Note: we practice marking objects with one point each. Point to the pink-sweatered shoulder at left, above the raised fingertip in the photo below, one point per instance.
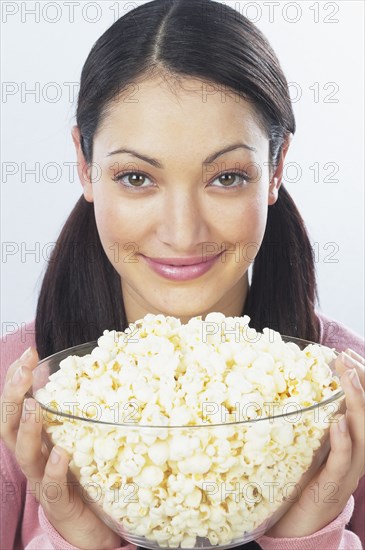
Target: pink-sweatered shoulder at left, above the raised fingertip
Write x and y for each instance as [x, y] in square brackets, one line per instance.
[18, 338]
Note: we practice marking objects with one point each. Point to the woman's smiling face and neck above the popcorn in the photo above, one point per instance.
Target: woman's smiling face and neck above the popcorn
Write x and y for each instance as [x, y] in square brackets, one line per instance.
[192, 200]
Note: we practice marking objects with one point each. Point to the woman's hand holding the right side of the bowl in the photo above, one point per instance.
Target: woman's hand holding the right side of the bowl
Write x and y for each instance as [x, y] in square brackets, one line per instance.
[324, 498]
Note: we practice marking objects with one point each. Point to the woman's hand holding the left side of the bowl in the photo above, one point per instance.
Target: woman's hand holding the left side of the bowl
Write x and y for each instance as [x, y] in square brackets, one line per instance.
[47, 473]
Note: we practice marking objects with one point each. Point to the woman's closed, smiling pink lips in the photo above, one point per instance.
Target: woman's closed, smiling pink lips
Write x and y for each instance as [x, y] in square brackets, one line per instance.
[181, 269]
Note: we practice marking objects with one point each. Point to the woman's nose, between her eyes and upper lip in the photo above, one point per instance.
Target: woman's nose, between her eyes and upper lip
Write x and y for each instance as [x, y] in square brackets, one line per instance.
[183, 225]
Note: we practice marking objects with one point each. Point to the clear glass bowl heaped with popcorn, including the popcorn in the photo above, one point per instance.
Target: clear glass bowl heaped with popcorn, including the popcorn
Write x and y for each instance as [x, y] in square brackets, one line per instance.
[193, 435]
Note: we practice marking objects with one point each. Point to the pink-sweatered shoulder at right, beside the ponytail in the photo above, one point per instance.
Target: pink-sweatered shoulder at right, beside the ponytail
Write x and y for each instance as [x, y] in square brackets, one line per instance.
[335, 334]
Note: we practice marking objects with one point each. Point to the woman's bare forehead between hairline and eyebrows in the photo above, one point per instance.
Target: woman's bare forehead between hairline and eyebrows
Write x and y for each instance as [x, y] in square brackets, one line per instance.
[188, 104]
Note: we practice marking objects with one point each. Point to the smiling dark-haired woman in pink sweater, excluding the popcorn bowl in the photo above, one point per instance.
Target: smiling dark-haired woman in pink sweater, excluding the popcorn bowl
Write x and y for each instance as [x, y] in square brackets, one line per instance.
[183, 124]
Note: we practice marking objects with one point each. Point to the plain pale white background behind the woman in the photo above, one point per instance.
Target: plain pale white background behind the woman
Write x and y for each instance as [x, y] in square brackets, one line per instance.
[320, 47]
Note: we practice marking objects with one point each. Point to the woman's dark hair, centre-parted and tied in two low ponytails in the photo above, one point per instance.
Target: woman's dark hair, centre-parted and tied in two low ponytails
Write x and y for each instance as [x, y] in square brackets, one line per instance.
[81, 291]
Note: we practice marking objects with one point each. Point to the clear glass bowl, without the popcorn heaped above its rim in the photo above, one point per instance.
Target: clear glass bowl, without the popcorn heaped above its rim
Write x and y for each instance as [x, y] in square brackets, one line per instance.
[212, 485]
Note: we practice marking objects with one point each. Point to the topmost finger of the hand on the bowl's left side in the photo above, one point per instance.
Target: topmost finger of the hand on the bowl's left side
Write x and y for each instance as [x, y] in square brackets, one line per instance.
[18, 381]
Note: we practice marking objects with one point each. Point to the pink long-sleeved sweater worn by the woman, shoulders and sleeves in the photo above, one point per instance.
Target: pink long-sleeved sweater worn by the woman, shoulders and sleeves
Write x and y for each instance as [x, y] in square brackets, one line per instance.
[25, 526]
